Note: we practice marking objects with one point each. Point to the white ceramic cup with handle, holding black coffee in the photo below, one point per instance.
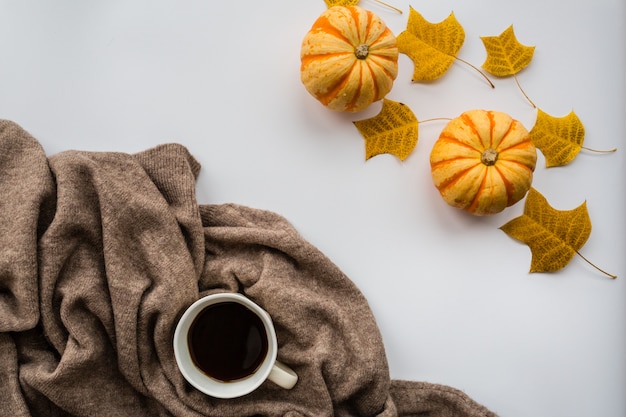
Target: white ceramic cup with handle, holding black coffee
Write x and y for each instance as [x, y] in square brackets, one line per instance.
[269, 368]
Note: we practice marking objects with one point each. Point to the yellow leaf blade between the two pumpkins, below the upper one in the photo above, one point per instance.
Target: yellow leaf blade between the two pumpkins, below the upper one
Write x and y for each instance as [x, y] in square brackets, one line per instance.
[392, 131]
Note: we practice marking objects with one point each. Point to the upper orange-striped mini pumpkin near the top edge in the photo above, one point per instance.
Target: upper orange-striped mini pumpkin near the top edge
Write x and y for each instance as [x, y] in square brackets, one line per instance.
[349, 58]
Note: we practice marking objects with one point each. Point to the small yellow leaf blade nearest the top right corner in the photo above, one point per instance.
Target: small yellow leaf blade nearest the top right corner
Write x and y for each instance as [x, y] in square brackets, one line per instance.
[505, 55]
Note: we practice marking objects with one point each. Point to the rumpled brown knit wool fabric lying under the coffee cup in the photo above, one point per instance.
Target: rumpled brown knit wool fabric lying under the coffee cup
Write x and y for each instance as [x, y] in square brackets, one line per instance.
[100, 253]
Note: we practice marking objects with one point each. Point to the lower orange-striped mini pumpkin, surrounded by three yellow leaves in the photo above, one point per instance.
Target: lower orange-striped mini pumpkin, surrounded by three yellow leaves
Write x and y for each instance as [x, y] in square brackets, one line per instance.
[483, 162]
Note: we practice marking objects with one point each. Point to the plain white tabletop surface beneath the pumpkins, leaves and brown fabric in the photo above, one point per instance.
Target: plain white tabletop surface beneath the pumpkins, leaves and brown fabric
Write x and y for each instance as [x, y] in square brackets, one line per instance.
[451, 292]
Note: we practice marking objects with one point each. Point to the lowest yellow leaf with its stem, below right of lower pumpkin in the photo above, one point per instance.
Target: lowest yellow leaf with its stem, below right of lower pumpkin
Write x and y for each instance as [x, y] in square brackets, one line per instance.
[553, 236]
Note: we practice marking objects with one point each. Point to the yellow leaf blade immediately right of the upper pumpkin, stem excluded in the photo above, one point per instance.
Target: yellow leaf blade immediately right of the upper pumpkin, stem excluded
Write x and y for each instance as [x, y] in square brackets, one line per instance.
[431, 46]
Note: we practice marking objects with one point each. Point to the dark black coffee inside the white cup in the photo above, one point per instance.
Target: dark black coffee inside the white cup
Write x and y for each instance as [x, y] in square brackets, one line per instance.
[227, 341]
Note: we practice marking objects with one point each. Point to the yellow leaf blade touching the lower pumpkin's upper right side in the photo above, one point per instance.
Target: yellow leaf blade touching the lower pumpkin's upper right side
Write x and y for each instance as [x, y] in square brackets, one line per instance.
[558, 138]
